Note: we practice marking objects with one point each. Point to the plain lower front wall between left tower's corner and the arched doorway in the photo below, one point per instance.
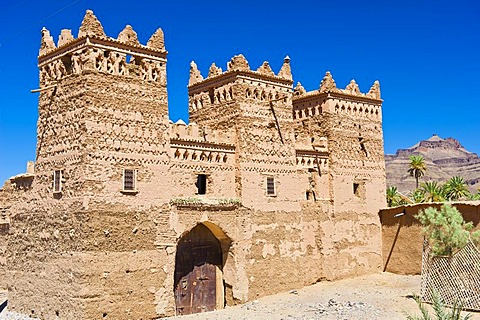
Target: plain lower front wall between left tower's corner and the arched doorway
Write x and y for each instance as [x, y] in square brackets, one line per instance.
[124, 269]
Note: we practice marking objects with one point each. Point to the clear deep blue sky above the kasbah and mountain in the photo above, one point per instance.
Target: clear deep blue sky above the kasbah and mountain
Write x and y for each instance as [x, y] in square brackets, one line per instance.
[426, 55]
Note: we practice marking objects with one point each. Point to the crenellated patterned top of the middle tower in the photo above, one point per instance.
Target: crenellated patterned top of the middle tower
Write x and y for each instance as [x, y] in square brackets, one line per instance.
[223, 92]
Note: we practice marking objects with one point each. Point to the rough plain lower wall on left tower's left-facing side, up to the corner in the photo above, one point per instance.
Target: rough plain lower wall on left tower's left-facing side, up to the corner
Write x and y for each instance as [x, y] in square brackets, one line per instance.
[44, 271]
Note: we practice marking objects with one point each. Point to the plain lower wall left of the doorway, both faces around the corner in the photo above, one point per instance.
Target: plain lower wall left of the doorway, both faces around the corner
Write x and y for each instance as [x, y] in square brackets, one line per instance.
[83, 263]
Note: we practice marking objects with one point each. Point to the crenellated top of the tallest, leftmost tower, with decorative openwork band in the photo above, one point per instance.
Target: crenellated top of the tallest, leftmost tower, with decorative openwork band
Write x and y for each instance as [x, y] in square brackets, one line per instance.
[93, 50]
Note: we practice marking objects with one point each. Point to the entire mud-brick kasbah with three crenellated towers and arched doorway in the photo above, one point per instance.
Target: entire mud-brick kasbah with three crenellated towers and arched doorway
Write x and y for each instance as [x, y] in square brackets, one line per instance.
[127, 215]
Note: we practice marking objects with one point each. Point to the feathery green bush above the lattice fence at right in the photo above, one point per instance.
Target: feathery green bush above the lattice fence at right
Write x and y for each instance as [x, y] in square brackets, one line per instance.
[446, 230]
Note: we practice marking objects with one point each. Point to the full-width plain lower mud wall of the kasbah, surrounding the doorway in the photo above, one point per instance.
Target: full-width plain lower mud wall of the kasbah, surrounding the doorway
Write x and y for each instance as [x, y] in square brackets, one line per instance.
[118, 259]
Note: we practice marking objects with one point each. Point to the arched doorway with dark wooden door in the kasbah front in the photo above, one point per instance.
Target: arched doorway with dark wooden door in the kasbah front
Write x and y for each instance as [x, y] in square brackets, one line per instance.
[199, 261]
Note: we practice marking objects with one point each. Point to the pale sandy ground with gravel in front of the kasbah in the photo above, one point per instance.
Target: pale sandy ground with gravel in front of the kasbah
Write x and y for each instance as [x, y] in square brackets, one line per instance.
[377, 296]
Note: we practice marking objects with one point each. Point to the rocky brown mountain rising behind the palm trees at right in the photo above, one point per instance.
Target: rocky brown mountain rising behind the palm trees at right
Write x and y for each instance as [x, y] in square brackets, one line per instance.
[445, 158]
